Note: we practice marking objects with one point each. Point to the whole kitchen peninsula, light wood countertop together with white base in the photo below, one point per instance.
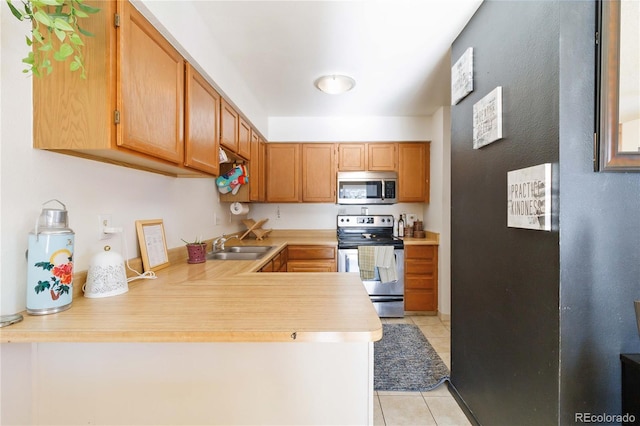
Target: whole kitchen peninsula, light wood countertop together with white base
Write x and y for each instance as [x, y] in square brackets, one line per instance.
[209, 343]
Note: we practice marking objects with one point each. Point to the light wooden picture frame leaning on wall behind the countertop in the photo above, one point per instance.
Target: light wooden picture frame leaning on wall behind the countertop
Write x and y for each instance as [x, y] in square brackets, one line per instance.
[153, 244]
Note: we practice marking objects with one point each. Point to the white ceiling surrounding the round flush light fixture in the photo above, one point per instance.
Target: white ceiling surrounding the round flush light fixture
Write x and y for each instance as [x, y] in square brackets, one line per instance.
[396, 50]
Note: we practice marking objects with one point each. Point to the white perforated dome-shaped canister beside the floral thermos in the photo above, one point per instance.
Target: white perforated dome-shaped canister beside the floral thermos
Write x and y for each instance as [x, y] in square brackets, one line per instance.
[106, 276]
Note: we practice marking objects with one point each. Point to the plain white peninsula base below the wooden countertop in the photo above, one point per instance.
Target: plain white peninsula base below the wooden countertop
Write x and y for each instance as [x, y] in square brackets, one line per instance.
[187, 383]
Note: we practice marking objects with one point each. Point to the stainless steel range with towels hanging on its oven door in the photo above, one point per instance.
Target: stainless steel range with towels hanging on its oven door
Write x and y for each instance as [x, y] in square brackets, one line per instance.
[356, 235]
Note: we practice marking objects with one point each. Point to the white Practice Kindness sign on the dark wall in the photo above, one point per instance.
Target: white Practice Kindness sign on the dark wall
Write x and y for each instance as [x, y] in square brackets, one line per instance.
[529, 198]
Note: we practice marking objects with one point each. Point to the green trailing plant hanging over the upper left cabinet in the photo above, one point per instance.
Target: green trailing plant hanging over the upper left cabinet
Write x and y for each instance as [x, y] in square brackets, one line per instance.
[55, 33]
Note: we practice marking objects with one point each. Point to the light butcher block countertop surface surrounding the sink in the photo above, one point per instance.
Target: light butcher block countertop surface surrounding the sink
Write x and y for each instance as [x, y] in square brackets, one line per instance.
[219, 301]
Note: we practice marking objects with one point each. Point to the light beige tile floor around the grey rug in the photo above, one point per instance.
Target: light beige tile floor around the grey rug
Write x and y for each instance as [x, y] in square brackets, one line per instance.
[436, 407]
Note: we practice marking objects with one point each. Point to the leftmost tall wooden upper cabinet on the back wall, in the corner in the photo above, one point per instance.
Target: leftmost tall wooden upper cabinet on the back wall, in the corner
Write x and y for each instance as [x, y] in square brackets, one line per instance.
[283, 172]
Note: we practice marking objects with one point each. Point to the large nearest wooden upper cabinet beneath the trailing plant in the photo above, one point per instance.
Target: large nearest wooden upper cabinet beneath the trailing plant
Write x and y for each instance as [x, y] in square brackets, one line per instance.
[130, 109]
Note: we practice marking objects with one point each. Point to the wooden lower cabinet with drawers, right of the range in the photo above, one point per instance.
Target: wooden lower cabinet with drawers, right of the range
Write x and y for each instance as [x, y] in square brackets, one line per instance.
[421, 277]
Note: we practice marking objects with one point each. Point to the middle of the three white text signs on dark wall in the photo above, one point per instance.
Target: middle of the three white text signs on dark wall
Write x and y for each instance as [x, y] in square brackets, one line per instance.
[487, 119]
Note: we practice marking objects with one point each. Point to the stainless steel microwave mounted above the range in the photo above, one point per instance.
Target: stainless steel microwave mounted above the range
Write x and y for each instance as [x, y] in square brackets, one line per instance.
[367, 188]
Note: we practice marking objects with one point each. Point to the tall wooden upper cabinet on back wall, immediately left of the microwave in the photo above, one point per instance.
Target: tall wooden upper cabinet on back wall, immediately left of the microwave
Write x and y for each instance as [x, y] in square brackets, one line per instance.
[318, 173]
